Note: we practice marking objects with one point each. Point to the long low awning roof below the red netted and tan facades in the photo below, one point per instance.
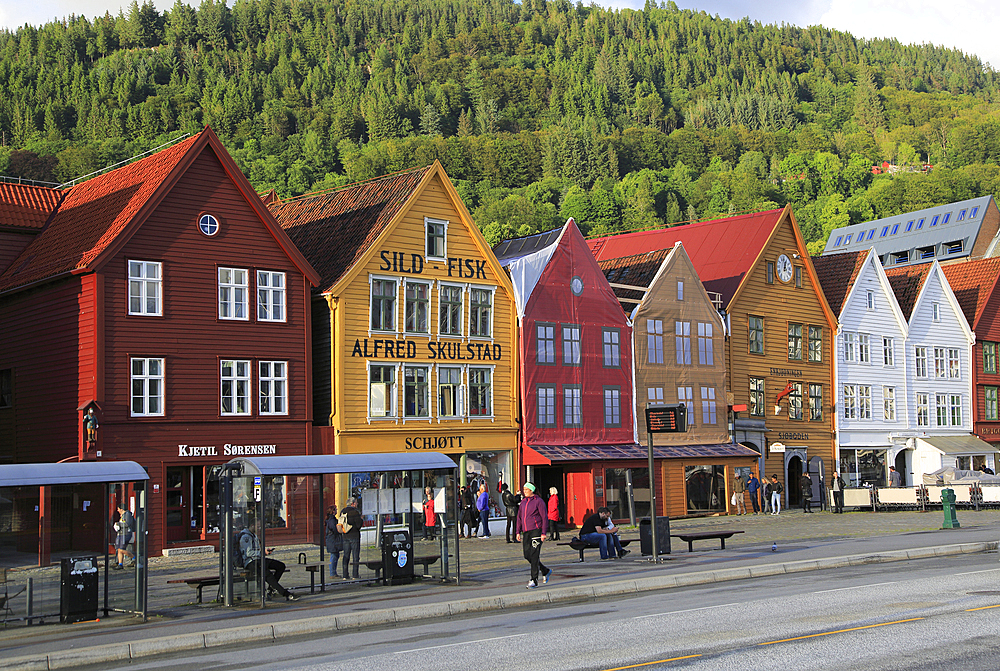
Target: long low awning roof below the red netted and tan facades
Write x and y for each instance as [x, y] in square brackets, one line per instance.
[543, 455]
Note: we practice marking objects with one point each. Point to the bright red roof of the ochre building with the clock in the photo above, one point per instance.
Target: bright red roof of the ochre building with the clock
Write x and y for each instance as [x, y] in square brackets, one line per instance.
[722, 251]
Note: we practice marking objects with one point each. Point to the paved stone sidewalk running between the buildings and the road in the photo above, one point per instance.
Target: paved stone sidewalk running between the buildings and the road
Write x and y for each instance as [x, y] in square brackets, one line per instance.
[493, 577]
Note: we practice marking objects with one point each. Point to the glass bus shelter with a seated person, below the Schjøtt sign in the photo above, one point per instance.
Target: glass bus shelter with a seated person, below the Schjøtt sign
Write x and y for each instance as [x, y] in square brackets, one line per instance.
[390, 490]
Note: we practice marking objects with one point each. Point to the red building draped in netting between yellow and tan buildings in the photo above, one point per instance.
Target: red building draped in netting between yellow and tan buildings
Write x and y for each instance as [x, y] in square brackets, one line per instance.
[576, 368]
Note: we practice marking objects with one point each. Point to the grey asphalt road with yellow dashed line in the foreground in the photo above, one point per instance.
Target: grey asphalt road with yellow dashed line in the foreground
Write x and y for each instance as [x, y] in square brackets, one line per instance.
[927, 614]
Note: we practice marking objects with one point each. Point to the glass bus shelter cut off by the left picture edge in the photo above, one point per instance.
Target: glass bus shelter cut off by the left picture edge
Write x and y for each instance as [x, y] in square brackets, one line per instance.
[69, 512]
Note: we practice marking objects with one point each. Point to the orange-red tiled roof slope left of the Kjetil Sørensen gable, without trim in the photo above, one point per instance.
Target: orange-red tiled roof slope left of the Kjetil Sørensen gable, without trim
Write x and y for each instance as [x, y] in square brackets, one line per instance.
[90, 217]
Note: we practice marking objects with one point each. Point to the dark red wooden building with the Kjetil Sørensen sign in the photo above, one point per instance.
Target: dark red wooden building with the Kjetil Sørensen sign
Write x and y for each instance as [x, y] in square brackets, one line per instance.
[164, 295]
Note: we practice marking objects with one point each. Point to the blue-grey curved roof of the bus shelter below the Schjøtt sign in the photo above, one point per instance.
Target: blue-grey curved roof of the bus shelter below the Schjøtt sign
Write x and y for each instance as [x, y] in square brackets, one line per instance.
[315, 464]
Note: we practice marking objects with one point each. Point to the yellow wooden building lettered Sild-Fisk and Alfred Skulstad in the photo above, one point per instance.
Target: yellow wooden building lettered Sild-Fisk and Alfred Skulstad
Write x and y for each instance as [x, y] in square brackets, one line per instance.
[413, 325]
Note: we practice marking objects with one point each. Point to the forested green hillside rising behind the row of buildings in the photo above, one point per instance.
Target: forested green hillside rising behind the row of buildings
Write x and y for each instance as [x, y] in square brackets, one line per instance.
[538, 110]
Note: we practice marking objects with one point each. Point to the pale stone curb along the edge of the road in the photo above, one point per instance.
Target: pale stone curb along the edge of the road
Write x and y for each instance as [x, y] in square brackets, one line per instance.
[65, 659]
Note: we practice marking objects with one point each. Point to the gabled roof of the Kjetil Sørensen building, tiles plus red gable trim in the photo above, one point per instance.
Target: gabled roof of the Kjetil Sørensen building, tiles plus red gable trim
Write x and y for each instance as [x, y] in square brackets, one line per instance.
[96, 217]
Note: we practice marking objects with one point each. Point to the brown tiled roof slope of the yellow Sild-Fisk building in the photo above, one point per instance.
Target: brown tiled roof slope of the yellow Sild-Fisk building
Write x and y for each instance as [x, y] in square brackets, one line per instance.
[334, 229]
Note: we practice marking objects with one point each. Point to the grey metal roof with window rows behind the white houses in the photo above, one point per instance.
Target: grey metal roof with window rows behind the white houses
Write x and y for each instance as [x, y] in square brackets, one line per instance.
[922, 234]
